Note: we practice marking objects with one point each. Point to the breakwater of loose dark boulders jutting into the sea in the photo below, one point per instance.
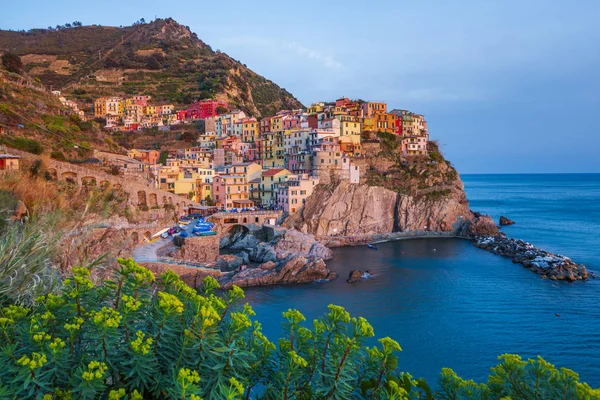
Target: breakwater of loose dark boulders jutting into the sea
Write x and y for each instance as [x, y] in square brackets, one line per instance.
[542, 262]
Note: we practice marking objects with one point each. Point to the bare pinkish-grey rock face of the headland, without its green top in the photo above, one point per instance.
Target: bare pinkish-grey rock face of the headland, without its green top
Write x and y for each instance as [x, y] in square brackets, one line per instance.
[359, 209]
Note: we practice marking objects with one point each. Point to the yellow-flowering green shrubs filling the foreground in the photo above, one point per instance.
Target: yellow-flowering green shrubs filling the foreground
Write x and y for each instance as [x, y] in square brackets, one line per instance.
[136, 336]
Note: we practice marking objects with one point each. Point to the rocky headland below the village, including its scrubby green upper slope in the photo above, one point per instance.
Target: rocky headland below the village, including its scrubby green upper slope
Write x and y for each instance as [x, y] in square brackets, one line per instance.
[395, 194]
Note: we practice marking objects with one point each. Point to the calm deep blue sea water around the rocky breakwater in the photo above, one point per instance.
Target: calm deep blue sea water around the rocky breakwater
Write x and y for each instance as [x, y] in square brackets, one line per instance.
[450, 304]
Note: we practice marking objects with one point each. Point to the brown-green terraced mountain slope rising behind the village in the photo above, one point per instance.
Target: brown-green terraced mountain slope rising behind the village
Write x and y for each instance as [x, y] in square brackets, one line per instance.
[163, 59]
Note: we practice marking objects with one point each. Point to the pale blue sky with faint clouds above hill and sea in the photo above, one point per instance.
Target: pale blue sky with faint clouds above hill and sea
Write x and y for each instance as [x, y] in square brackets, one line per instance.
[506, 86]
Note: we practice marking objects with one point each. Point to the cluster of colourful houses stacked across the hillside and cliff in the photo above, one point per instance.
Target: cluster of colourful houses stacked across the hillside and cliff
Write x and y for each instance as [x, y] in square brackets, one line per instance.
[242, 162]
